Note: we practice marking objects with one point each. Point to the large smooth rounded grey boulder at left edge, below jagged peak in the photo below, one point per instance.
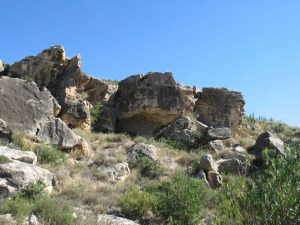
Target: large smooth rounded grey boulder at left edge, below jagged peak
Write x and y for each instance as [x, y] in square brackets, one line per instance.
[23, 106]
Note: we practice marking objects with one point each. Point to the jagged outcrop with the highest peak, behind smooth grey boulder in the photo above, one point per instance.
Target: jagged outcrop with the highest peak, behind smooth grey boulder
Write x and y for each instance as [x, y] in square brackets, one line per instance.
[62, 77]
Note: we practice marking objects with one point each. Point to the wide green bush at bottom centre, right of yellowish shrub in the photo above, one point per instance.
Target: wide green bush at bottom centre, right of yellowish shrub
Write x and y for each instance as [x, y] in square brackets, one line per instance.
[180, 200]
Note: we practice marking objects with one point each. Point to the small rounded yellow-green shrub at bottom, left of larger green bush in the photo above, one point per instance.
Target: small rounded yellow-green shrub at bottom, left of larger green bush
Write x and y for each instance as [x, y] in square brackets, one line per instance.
[136, 203]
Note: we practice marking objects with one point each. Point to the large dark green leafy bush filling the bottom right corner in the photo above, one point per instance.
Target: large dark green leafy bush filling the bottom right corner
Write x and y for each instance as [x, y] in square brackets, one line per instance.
[271, 195]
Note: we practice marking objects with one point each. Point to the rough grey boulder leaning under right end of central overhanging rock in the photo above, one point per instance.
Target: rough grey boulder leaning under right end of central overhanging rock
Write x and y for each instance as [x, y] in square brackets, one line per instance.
[183, 131]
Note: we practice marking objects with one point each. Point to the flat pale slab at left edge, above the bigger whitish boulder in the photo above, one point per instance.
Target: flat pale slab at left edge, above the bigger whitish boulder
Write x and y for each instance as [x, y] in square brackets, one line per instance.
[22, 156]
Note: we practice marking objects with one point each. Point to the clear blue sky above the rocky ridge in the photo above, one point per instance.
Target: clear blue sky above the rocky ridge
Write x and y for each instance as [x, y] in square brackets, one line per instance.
[248, 45]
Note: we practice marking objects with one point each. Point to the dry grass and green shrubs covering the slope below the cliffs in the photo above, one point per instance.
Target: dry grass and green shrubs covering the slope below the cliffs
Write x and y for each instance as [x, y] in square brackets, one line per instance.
[156, 193]
